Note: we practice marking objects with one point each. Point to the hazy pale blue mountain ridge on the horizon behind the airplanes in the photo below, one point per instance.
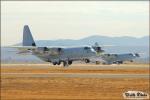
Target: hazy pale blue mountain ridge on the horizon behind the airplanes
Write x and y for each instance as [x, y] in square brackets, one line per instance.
[102, 40]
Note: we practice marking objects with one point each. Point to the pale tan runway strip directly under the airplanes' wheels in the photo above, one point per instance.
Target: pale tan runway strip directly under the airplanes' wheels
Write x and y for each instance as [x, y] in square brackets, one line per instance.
[79, 66]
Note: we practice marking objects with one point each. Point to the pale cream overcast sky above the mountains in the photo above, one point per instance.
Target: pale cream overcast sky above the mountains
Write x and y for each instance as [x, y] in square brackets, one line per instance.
[50, 20]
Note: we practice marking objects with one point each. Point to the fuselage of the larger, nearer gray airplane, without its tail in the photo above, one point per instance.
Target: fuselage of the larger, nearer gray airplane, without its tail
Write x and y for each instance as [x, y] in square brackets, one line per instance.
[58, 55]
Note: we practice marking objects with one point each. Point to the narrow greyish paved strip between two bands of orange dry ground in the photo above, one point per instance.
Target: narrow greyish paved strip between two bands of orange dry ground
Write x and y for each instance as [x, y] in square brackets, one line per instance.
[74, 75]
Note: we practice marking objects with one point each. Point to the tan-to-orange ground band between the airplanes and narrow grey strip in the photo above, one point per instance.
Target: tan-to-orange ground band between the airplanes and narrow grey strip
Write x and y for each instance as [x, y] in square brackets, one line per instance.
[76, 68]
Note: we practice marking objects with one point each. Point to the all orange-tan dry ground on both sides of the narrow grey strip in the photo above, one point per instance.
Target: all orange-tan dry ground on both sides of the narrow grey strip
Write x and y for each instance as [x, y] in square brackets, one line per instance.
[40, 88]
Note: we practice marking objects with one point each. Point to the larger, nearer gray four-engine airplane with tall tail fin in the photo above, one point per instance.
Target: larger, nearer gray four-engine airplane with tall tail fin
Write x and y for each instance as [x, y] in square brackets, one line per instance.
[55, 55]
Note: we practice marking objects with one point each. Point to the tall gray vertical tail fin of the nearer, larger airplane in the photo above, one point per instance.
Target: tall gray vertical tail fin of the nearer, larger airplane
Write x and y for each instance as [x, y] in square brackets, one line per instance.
[27, 37]
